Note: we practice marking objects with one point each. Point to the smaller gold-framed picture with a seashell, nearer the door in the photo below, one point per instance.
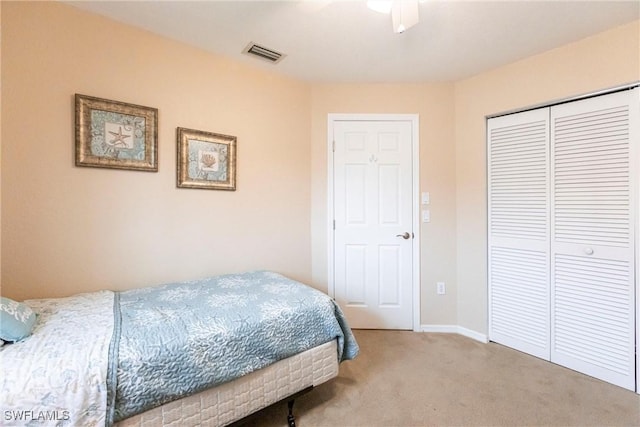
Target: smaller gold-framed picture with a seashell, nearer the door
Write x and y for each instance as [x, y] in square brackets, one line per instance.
[206, 160]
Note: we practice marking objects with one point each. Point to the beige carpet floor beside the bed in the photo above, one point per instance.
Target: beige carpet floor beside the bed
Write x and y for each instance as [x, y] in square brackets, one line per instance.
[419, 379]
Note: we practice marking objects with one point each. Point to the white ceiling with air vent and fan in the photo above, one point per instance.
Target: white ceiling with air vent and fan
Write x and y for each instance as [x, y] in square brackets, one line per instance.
[344, 41]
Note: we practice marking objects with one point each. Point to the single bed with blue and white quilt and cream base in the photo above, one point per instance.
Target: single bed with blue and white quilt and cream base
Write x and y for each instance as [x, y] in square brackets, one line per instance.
[204, 352]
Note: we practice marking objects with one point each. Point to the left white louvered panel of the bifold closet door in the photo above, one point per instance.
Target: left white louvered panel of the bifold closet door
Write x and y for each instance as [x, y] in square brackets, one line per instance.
[518, 153]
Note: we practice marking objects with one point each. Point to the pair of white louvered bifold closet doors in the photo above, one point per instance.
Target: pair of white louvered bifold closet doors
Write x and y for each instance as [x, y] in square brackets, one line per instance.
[562, 234]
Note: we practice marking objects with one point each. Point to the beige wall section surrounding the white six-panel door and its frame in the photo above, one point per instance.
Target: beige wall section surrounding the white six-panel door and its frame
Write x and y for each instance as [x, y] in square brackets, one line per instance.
[434, 104]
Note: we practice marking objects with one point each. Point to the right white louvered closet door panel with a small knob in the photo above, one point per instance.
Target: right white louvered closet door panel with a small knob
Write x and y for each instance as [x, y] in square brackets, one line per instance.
[592, 248]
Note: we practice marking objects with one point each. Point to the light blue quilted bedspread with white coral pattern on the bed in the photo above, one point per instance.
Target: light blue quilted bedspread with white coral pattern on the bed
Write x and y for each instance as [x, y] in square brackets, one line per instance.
[181, 338]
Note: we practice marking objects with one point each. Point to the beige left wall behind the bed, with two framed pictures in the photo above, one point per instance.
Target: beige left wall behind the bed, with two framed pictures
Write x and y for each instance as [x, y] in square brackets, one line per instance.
[67, 229]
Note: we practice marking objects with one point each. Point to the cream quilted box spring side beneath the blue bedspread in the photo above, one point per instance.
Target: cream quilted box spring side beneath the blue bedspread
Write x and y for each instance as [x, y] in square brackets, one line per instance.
[234, 400]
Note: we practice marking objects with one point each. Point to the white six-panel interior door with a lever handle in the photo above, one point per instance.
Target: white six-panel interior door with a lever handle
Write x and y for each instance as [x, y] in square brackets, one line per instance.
[373, 231]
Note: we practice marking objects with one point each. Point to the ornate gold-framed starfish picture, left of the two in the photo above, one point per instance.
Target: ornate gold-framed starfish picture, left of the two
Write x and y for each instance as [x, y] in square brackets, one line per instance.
[112, 134]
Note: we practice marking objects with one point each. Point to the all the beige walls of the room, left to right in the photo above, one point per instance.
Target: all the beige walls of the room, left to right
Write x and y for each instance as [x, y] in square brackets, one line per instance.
[67, 229]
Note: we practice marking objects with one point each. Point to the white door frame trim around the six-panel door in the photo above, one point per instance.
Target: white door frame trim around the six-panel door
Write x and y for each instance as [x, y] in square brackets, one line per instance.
[414, 119]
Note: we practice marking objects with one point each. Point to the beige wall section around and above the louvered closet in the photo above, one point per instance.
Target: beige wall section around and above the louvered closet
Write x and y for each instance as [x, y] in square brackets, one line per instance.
[608, 59]
